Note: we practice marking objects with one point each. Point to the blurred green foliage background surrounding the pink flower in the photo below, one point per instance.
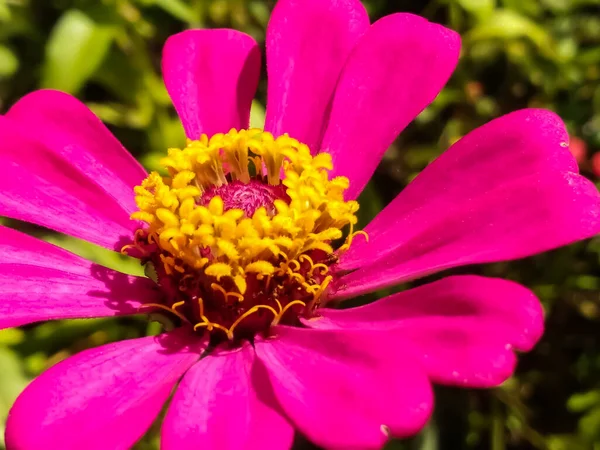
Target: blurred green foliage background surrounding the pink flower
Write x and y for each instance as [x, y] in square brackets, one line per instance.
[516, 53]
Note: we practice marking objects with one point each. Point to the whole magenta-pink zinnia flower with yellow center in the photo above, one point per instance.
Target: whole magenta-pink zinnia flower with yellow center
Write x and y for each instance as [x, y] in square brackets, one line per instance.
[277, 359]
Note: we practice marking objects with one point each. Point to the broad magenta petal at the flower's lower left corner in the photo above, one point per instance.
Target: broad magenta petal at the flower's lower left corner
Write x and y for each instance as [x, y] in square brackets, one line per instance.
[102, 398]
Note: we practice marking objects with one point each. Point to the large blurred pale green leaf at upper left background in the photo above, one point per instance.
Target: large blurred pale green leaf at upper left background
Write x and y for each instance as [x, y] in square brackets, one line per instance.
[76, 47]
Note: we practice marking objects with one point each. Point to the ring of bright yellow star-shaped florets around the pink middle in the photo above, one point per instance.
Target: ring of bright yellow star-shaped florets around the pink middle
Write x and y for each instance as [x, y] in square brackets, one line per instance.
[227, 243]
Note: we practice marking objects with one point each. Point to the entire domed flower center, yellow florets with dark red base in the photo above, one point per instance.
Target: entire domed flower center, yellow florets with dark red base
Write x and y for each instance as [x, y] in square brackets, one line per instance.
[240, 235]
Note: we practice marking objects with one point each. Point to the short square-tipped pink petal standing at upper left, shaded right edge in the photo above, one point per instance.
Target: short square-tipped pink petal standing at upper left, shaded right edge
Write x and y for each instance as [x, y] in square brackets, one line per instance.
[211, 76]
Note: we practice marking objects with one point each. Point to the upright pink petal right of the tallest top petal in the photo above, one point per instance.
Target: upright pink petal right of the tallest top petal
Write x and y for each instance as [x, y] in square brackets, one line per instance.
[395, 71]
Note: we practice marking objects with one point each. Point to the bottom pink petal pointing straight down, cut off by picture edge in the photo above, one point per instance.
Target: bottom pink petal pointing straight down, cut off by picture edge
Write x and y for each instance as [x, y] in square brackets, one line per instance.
[217, 407]
